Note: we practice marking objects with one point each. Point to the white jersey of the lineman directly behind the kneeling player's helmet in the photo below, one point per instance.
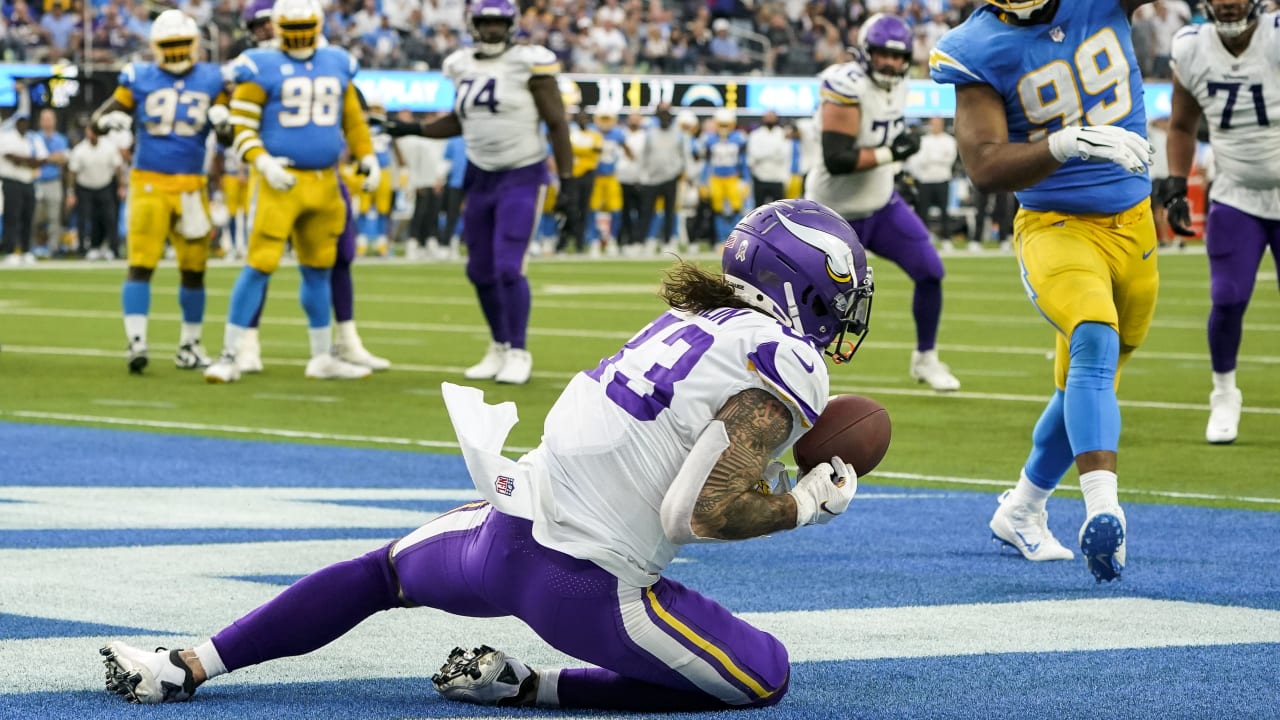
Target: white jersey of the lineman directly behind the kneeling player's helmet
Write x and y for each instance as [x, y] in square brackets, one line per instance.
[862, 193]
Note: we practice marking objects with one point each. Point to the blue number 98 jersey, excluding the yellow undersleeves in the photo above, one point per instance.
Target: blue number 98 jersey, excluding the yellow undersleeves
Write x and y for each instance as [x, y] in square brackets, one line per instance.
[303, 102]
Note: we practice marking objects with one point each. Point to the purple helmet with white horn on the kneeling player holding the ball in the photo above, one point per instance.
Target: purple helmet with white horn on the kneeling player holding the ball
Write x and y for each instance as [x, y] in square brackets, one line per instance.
[802, 263]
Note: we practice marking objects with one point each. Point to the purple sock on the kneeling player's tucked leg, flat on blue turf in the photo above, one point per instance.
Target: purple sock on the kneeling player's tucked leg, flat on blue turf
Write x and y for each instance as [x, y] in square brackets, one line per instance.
[606, 690]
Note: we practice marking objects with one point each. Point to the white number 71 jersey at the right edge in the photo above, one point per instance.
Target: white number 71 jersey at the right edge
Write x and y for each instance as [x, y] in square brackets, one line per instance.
[1241, 98]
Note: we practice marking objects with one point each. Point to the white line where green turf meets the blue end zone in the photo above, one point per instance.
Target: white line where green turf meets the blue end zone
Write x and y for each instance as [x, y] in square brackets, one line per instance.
[404, 443]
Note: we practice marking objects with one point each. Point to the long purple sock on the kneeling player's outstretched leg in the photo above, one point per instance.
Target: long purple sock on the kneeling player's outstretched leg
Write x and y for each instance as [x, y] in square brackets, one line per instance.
[312, 613]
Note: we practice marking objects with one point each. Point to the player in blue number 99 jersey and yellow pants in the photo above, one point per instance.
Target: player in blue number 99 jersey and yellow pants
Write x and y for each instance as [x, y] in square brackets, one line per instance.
[1050, 106]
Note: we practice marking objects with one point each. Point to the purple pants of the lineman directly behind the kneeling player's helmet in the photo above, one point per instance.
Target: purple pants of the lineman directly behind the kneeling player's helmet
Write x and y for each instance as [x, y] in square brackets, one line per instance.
[897, 234]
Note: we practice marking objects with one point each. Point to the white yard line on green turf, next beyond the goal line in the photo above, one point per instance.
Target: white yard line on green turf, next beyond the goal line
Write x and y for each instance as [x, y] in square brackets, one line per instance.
[835, 388]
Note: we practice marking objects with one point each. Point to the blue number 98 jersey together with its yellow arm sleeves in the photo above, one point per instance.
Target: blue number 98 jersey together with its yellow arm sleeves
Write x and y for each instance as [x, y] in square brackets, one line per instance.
[301, 111]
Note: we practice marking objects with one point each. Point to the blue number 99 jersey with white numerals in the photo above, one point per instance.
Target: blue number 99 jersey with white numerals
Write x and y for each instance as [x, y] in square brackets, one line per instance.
[1078, 69]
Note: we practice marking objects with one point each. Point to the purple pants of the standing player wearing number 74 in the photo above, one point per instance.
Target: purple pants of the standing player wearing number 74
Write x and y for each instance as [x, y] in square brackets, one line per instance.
[499, 222]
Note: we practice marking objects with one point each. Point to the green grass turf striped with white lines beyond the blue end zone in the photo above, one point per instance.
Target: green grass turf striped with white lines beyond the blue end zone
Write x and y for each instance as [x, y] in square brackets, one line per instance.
[63, 362]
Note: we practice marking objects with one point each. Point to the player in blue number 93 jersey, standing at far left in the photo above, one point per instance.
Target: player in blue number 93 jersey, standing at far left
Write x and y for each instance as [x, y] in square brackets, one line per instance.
[175, 102]
